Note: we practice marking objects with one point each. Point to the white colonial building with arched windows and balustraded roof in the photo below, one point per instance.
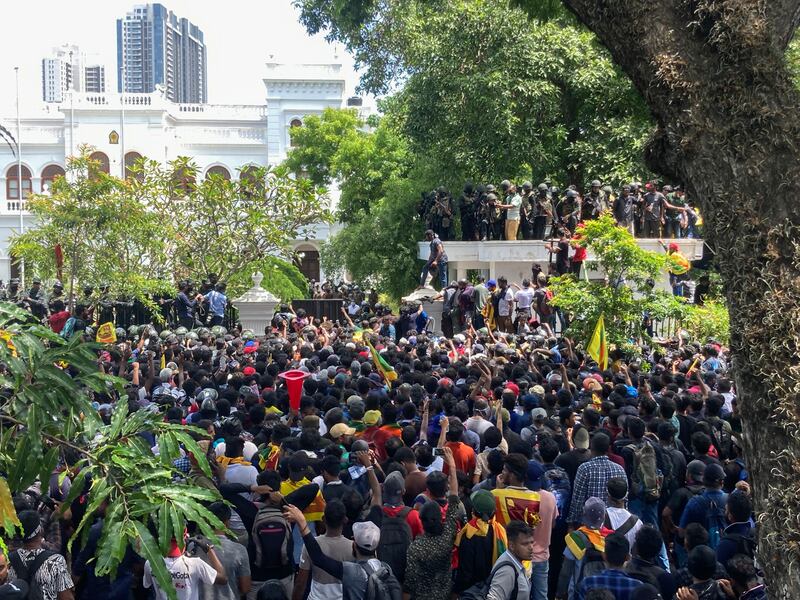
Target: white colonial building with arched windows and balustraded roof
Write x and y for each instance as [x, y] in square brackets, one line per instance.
[122, 128]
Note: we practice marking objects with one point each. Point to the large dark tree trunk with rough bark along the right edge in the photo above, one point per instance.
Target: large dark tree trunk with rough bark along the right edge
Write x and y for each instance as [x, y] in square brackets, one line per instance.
[728, 119]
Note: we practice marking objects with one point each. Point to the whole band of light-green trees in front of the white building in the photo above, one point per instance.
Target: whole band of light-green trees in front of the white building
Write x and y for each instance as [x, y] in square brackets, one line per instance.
[161, 225]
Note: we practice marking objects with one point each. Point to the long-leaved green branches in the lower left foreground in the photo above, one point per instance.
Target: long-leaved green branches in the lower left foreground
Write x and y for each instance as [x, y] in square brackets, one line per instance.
[48, 420]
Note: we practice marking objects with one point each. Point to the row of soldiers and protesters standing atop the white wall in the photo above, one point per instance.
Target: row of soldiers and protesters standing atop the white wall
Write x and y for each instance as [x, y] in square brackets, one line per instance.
[511, 212]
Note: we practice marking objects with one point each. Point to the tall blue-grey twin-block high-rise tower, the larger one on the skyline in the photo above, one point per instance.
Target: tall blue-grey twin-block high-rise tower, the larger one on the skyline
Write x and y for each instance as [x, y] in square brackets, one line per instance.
[157, 48]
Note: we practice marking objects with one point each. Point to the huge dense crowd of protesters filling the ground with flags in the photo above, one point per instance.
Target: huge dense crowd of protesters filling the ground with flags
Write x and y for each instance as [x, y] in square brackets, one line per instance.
[496, 462]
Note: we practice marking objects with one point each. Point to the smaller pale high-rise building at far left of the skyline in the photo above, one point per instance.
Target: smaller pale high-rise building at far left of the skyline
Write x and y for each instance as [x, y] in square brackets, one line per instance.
[64, 70]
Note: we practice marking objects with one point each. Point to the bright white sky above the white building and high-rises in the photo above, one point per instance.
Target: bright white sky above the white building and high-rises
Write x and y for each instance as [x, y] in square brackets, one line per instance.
[240, 35]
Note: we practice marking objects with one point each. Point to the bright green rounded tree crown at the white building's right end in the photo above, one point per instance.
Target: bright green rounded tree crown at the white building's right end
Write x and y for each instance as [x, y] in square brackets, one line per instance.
[338, 146]
